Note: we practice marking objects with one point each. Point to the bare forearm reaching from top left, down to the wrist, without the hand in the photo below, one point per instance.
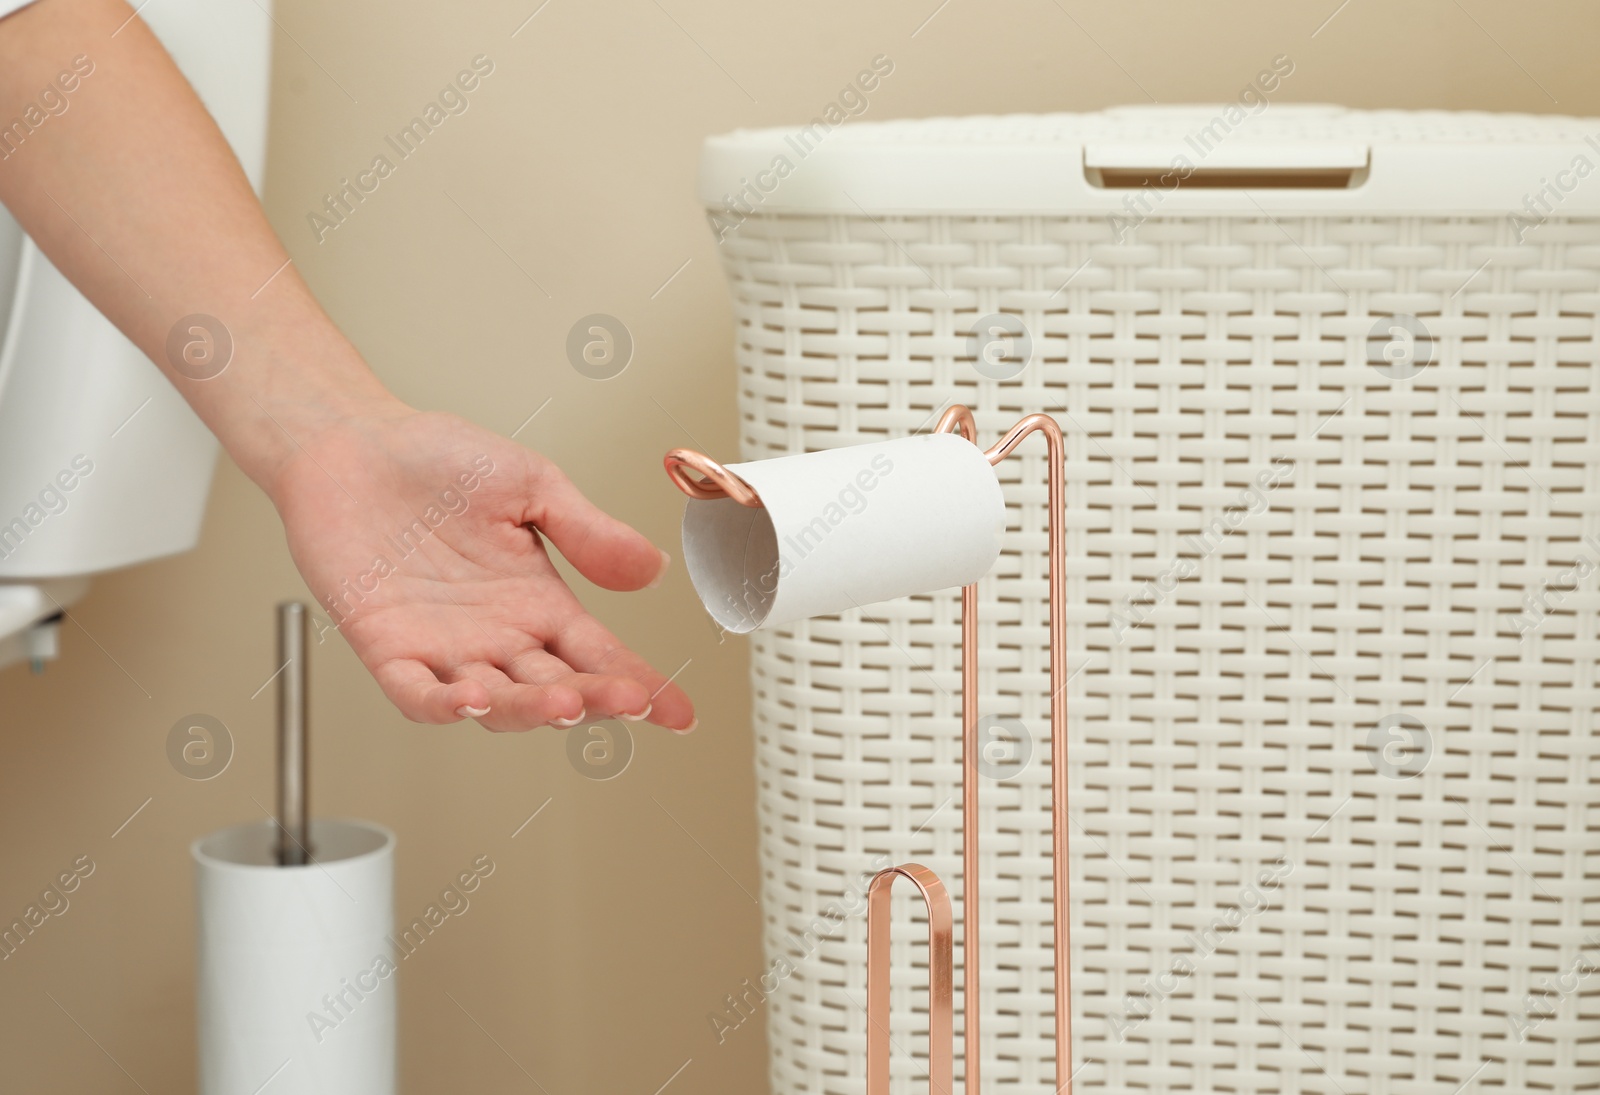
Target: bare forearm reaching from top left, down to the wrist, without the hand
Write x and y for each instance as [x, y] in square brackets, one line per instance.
[137, 198]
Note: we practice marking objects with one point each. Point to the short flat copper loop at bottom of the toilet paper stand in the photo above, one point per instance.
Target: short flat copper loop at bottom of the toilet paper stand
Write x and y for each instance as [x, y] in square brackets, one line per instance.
[942, 979]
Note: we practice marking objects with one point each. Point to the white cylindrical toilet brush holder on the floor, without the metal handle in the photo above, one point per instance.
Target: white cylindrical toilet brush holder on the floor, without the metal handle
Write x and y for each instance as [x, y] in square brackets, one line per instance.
[297, 968]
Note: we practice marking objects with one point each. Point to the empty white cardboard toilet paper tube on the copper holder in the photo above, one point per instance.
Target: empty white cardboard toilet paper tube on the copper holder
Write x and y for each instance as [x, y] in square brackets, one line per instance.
[846, 527]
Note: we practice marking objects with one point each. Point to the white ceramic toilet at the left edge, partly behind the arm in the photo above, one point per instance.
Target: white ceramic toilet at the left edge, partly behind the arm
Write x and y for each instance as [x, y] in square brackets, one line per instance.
[102, 462]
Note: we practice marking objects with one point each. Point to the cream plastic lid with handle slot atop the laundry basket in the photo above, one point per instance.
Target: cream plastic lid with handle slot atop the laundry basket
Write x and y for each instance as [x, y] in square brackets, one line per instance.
[1158, 161]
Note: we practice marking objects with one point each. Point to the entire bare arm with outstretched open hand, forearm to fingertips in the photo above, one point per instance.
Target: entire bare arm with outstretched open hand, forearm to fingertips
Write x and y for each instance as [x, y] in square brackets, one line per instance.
[130, 190]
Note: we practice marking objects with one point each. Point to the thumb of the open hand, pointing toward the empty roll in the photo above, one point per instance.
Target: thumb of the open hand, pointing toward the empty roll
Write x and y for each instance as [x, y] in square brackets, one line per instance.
[602, 548]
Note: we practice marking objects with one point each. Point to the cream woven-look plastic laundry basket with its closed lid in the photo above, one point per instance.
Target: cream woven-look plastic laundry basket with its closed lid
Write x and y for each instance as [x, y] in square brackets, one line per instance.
[1334, 425]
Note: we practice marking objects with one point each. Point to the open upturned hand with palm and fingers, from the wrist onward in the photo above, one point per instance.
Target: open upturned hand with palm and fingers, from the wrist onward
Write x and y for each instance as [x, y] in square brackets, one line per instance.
[425, 537]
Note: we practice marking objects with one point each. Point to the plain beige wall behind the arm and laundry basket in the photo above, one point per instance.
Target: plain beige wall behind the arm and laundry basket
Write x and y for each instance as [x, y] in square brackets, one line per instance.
[607, 933]
